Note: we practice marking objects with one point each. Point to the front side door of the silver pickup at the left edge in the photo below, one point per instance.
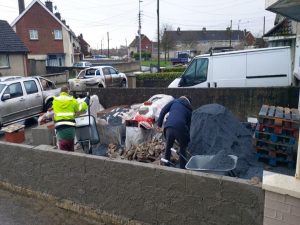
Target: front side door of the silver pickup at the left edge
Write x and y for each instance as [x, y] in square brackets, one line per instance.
[13, 103]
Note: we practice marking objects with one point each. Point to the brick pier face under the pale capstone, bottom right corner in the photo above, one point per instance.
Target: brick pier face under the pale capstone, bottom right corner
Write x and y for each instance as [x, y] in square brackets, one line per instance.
[281, 209]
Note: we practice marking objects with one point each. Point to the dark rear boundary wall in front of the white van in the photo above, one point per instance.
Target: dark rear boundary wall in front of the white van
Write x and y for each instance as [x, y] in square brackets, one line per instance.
[243, 102]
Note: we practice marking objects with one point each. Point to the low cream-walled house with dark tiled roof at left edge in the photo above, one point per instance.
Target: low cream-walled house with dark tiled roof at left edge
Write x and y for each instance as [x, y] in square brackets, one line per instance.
[13, 52]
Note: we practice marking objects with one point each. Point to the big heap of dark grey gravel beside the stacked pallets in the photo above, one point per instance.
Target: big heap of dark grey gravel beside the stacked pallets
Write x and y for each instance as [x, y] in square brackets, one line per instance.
[215, 129]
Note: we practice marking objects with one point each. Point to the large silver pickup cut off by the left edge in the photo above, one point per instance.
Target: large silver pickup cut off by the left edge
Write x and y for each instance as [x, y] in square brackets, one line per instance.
[25, 97]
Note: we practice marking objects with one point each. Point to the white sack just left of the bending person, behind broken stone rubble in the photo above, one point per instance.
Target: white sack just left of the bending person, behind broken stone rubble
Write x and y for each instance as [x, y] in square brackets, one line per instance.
[137, 135]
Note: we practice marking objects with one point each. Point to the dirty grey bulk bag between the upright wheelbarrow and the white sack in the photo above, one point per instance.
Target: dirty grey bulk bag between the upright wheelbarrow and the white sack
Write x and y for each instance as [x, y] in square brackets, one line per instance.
[110, 134]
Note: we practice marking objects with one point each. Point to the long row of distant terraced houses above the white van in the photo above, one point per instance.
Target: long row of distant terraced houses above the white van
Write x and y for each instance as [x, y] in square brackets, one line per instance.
[200, 41]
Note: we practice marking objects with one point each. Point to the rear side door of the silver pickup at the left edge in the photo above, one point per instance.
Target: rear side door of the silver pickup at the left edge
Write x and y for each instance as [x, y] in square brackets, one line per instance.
[34, 98]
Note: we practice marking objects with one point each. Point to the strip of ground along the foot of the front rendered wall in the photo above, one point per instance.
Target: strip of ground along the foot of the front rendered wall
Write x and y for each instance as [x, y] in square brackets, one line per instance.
[20, 210]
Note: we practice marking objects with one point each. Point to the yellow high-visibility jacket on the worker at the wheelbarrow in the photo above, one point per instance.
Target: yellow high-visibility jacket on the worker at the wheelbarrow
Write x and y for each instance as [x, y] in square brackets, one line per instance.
[64, 108]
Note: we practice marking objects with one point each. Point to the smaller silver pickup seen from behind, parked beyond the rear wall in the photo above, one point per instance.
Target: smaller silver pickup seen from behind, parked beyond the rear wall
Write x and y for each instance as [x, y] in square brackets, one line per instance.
[98, 76]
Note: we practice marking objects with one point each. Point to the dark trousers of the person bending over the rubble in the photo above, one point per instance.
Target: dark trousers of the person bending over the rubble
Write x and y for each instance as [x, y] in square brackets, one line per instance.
[171, 135]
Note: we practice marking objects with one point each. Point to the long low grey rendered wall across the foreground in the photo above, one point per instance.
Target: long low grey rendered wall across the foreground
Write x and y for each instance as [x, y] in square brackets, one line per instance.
[137, 191]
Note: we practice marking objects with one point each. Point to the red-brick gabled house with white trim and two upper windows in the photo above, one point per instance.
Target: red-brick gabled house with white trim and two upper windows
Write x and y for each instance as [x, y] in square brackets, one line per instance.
[50, 41]
